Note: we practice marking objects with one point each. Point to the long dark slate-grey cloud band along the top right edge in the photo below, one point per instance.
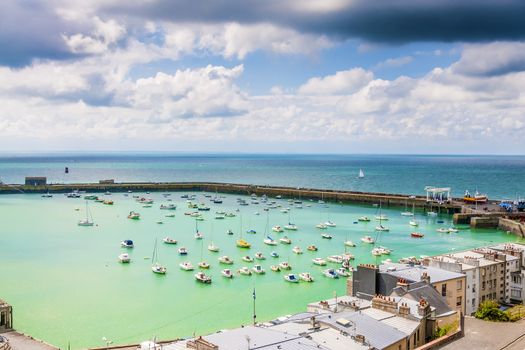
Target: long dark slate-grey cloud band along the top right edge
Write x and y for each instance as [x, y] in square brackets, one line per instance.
[385, 21]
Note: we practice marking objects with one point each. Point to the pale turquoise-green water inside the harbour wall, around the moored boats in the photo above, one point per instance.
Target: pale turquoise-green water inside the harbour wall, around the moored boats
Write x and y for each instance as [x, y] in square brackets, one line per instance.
[66, 285]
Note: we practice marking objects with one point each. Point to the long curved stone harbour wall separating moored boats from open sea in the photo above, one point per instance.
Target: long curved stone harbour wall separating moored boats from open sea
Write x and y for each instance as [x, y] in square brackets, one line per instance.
[288, 192]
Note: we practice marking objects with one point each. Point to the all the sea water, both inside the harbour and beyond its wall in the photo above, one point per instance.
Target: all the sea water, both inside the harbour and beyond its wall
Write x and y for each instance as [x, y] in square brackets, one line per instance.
[68, 288]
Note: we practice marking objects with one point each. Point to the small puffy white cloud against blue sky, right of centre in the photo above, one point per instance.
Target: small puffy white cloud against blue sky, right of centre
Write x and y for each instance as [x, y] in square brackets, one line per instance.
[343, 82]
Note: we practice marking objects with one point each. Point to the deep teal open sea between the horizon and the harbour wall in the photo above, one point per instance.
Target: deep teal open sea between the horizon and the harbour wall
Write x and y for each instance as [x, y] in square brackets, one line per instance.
[498, 176]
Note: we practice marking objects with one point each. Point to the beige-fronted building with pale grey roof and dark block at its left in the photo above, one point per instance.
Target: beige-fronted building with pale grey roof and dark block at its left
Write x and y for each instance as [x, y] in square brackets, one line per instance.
[370, 280]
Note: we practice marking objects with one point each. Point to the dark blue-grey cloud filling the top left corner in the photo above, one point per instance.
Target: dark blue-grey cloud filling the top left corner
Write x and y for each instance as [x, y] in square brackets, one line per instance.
[30, 30]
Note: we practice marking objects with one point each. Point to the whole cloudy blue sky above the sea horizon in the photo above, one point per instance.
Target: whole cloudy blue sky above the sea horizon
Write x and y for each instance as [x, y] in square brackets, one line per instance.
[273, 76]
